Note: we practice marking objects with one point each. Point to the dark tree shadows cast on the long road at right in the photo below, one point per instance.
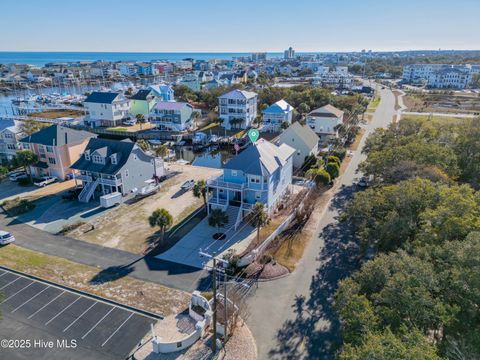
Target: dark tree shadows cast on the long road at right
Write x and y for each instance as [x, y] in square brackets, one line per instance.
[314, 333]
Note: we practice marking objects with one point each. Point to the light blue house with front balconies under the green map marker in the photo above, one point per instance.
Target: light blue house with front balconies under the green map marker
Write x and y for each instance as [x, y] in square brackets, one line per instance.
[261, 173]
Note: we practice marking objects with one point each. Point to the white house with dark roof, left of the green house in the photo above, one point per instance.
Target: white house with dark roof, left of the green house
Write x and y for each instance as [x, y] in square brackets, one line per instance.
[106, 109]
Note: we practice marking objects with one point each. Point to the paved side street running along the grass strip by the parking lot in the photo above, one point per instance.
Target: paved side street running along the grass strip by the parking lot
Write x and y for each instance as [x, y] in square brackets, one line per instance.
[163, 272]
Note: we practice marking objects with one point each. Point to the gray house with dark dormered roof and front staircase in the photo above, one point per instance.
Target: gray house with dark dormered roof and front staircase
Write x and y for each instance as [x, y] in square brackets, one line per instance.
[108, 166]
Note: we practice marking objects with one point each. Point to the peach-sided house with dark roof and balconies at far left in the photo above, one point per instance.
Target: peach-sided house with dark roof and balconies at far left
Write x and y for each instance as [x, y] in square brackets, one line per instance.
[57, 148]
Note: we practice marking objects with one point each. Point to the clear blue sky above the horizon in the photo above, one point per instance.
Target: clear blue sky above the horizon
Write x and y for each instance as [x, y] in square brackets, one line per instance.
[238, 26]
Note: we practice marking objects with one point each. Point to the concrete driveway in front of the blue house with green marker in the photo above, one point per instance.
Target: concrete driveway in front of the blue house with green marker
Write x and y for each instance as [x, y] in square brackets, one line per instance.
[186, 251]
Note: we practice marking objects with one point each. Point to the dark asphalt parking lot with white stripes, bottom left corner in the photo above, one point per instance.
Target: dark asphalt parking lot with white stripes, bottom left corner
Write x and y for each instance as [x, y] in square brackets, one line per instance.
[35, 310]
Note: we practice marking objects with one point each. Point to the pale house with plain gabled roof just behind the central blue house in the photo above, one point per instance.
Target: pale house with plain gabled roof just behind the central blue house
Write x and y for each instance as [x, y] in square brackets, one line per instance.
[303, 139]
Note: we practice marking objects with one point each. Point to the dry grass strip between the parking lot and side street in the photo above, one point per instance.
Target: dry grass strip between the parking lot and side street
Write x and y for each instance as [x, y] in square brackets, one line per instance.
[126, 290]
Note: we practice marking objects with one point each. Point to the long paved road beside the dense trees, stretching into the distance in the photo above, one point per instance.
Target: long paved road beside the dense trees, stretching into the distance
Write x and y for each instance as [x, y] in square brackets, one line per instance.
[292, 318]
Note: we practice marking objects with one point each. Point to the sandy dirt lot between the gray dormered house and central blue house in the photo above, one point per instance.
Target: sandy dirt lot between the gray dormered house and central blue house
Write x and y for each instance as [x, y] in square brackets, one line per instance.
[127, 228]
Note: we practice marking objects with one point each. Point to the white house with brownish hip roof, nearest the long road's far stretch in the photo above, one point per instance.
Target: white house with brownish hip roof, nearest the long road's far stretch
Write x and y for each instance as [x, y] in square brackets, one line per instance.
[324, 121]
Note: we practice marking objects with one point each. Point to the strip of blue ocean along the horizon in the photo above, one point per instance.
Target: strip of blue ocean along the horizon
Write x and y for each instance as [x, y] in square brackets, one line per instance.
[42, 58]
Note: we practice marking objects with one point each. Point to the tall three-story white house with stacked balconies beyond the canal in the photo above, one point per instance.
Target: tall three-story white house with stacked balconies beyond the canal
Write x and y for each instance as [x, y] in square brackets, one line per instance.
[238, 109]
